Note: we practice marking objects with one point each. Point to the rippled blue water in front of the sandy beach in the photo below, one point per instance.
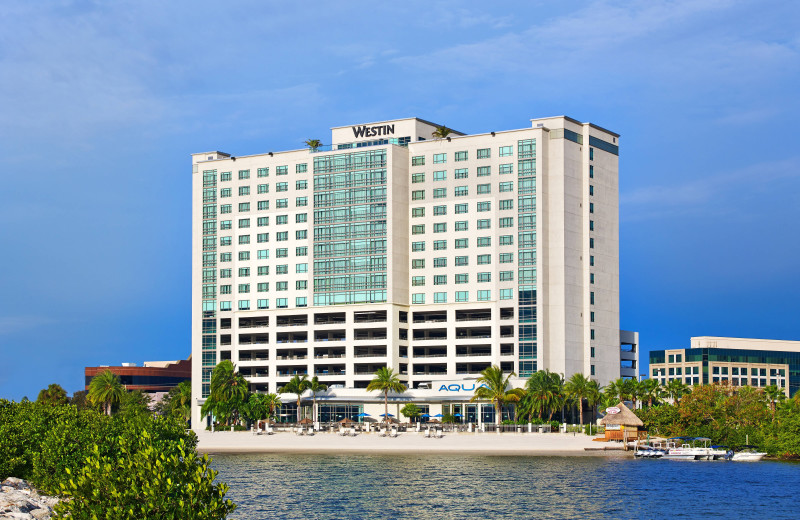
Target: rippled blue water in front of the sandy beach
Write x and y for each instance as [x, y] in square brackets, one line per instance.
[445, 487]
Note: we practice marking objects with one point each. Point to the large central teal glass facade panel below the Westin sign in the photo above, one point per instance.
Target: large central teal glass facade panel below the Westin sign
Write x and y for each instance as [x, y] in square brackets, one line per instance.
[350, 228]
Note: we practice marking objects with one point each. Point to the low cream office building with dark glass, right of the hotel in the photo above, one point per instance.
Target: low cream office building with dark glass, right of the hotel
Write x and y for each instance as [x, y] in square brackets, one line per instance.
[733, 361]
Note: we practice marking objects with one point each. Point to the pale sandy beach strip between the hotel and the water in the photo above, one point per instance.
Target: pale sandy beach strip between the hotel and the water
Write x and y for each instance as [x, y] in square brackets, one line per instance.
[408, 442]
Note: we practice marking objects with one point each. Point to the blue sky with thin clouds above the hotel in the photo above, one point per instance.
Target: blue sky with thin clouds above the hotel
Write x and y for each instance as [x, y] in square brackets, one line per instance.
[103, 102]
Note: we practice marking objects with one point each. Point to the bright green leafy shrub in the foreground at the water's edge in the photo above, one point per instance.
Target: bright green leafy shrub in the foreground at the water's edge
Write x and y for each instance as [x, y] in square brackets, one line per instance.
[141, 480]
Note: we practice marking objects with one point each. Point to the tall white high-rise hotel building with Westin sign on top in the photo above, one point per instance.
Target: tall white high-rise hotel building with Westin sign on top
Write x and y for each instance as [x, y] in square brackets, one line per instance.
[435, 257]
